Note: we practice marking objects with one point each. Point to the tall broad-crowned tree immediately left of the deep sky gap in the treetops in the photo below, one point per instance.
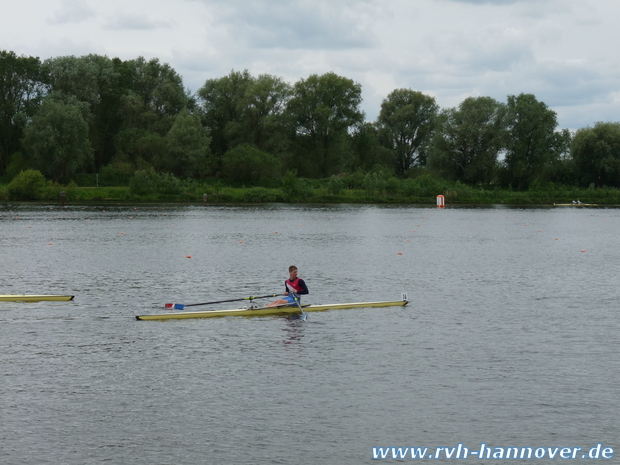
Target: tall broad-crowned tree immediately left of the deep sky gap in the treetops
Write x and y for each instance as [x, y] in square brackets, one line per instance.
[323, 109]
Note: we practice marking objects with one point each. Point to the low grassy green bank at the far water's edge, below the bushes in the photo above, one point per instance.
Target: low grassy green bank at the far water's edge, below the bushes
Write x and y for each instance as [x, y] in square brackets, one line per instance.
[322, 191]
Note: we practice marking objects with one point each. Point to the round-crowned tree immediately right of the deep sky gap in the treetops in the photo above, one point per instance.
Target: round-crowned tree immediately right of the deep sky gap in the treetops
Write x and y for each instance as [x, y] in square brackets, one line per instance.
[406, 120]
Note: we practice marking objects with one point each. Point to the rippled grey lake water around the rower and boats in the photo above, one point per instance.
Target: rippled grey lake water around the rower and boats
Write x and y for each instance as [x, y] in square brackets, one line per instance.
[511, 337]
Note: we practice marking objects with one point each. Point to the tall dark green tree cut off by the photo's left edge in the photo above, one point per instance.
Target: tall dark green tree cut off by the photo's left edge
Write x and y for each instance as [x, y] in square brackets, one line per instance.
[22, 88]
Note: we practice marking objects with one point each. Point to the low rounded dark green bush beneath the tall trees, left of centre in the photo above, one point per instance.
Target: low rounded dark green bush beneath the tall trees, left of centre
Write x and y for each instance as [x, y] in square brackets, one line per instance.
[246, 163]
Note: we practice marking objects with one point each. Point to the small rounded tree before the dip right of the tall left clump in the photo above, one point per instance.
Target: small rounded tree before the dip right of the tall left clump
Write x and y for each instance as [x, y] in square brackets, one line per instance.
[187, 145]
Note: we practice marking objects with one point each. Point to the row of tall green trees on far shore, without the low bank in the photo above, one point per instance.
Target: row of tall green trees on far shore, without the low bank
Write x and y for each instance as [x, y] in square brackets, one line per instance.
[92, 114]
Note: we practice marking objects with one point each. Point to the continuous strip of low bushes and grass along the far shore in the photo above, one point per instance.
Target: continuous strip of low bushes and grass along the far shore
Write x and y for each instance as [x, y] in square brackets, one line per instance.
[148, 186]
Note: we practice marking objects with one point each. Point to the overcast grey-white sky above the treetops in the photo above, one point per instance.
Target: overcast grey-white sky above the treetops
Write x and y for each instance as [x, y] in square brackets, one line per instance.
[565, 52]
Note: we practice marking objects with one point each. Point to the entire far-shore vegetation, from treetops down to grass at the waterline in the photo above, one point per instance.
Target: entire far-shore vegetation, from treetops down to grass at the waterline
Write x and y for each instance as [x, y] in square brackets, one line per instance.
[104, 129]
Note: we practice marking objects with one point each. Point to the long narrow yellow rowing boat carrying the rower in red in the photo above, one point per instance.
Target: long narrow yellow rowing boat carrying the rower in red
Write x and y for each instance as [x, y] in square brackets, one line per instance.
[262, 311]
